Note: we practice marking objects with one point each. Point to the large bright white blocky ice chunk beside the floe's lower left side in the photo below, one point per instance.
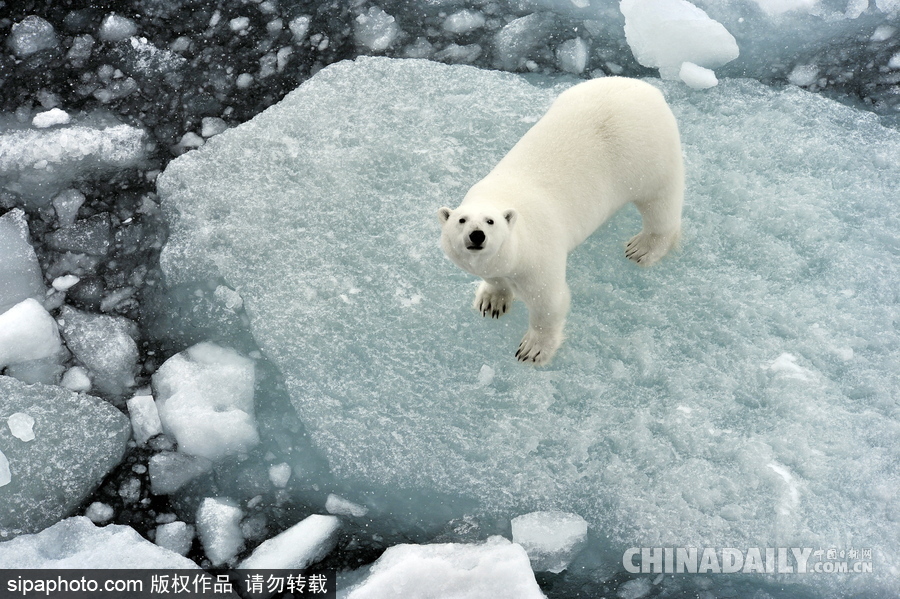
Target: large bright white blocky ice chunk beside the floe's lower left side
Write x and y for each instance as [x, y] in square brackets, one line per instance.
[205, 400]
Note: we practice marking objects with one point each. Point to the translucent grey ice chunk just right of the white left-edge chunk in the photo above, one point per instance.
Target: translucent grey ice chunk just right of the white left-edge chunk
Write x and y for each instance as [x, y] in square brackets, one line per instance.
[105, 346]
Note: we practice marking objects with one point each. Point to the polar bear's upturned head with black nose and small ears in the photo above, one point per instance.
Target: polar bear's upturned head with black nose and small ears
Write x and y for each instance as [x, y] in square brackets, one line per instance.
[473, 236]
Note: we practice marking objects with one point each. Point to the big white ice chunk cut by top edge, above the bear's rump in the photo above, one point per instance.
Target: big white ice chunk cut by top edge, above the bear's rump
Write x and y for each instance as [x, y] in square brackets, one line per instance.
[666, 33]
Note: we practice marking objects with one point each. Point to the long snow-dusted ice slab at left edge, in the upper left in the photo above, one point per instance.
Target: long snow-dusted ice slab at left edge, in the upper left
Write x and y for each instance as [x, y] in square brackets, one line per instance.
[38, 163]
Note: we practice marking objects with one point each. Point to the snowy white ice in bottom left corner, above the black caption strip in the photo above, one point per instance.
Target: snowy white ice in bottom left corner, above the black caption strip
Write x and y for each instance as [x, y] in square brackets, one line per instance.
[76, 543]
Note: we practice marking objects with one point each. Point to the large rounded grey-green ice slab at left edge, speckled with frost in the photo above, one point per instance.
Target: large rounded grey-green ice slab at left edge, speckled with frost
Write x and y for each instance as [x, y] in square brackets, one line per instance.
[78, 440]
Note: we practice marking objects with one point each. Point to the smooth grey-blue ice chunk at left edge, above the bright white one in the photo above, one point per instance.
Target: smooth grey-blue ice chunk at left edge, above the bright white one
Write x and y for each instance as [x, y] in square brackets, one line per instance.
[20, 273]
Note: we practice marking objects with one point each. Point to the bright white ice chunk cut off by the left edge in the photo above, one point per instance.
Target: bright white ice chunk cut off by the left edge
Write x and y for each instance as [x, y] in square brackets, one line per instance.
[27, 332]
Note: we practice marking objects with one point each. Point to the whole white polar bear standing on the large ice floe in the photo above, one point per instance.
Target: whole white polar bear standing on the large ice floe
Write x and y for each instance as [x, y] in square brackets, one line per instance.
[603, 143]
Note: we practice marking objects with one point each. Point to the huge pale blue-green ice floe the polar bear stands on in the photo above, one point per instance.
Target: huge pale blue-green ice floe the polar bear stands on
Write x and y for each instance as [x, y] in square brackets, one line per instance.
[740, 394]
